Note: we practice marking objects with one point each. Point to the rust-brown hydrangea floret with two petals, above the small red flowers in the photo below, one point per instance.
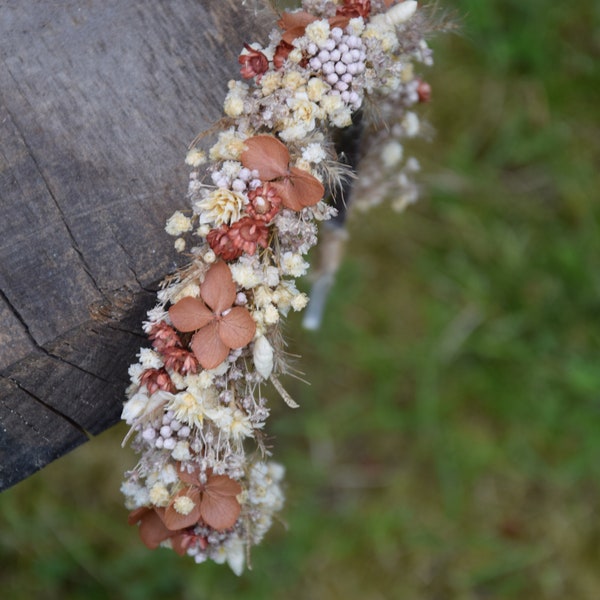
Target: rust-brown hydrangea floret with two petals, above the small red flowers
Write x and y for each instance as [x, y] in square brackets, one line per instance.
[296, 188]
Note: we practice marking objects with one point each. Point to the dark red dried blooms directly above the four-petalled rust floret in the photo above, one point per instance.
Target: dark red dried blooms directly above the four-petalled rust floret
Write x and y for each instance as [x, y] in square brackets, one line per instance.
[243, 236]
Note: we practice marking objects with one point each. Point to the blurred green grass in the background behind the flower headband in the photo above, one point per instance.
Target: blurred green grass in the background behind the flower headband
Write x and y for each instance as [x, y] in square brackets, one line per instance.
[448, 445]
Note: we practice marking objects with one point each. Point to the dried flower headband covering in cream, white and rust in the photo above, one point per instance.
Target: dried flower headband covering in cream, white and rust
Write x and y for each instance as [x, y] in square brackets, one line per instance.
[204, 485]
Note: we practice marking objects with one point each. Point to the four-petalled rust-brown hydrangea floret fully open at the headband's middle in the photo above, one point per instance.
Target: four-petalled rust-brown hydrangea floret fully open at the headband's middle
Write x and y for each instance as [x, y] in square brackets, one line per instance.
[219, 325]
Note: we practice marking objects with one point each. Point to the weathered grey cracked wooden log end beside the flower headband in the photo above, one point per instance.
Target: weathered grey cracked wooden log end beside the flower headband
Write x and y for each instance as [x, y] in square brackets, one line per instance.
[98, 101]
